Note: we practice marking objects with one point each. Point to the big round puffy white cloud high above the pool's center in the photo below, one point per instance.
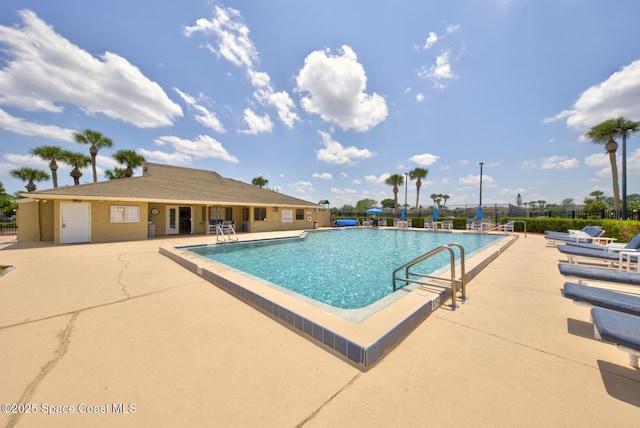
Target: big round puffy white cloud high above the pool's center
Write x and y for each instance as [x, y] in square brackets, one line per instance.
[334, 88]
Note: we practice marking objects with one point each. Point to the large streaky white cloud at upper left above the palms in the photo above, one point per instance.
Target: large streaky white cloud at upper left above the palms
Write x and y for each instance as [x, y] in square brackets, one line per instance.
[46, 70]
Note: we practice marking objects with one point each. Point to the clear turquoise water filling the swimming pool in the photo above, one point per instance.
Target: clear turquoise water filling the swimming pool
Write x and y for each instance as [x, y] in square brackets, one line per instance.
[346, 268]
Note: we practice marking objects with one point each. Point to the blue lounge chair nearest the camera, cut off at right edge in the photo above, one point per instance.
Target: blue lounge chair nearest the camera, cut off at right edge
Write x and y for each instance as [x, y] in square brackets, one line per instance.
[620, 329]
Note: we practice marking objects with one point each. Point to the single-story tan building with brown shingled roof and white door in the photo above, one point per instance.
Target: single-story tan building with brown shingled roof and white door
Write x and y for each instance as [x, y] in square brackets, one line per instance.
[164, 200]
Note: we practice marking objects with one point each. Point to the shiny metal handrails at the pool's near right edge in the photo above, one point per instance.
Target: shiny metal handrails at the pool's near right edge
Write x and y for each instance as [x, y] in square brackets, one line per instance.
[453, 281]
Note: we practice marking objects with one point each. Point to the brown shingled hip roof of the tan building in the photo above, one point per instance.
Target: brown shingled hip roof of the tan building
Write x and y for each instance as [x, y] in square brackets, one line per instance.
[172, 184]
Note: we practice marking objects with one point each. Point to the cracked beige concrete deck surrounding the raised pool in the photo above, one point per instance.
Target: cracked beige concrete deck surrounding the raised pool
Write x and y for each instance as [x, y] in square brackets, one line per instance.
[108, 324]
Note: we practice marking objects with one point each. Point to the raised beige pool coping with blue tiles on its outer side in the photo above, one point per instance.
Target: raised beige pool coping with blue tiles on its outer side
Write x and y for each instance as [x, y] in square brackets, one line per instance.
[362, 344]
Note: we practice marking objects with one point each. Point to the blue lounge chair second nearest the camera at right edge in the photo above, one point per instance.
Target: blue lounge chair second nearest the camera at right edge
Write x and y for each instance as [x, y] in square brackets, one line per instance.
[602, 298]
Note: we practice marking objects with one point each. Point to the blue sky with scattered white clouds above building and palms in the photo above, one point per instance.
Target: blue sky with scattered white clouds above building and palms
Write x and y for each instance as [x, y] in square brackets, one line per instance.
[326, 99]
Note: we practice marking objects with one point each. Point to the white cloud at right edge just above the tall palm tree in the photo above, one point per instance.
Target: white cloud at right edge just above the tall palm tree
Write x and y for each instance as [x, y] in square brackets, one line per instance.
[616, 96]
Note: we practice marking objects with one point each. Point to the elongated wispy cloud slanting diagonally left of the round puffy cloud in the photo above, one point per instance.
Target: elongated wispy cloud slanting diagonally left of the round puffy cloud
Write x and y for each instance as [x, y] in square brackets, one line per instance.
[232, 42]
